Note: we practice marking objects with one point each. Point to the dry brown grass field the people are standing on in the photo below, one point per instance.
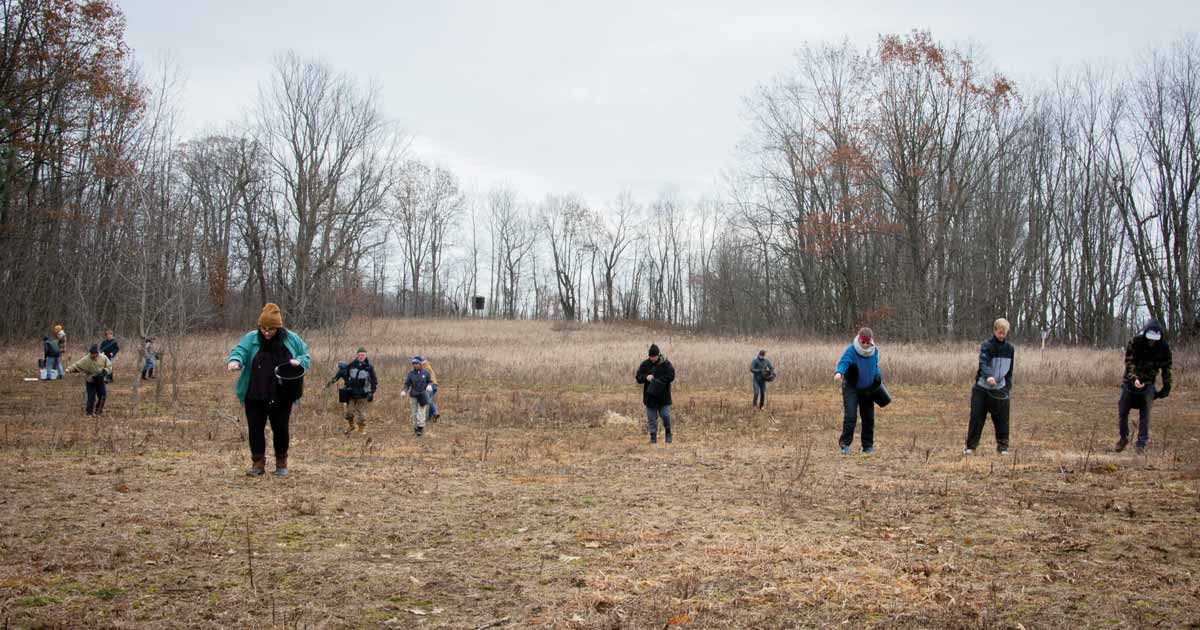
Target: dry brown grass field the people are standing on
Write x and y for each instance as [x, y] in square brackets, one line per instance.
[536, 502]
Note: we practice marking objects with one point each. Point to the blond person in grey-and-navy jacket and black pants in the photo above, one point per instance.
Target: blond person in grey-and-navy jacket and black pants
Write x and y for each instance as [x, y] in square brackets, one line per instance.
[993, 387]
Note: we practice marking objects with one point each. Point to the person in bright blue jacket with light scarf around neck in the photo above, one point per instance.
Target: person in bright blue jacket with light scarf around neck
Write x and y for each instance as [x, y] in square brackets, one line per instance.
[859, 373]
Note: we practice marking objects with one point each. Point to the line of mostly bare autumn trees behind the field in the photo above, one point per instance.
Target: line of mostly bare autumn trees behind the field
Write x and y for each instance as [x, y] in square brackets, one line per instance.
[904, 187]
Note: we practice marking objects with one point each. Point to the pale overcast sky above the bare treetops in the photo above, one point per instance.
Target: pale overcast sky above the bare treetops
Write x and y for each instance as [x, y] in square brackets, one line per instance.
[597, 98]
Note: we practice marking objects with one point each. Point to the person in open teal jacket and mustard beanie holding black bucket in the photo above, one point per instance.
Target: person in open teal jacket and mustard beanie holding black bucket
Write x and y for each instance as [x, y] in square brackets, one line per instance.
[257, 355]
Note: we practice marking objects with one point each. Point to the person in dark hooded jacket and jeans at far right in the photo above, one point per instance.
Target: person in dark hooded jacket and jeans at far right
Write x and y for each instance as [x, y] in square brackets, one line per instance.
[1145, 356]
